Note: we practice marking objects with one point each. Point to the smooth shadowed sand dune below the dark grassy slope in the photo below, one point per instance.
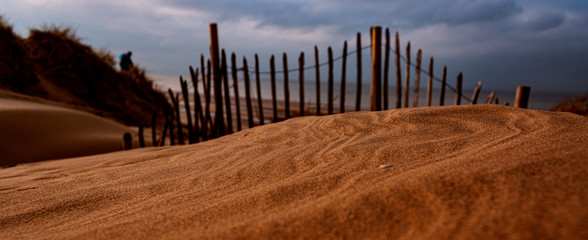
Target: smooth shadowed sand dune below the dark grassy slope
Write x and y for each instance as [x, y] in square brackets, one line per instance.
[32, 132]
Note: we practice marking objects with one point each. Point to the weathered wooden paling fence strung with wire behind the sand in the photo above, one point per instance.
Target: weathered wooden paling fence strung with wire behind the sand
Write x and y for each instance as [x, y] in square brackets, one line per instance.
[213, 75]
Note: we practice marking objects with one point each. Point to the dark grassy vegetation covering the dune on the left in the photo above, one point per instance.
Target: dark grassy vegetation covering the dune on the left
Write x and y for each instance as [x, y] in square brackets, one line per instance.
[53, 63]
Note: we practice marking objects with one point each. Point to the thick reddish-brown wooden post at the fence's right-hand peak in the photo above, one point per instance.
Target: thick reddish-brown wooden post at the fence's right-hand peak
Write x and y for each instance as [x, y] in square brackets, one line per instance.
[376, 86]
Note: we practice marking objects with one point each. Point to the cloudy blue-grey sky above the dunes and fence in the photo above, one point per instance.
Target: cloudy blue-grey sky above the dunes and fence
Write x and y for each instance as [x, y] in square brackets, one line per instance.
[504, 43]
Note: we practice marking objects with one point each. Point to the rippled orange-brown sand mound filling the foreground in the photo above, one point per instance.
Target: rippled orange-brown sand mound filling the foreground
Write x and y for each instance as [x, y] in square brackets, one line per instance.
[457, 172]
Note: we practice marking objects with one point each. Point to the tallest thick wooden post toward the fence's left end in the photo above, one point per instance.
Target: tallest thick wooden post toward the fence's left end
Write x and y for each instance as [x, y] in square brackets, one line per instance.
[219, 121]
